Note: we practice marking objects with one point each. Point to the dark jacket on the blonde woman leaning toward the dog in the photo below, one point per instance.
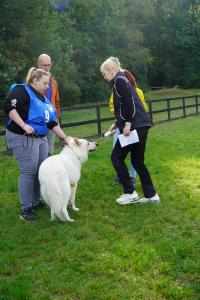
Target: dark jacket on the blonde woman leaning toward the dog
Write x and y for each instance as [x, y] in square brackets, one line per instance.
[127, 105]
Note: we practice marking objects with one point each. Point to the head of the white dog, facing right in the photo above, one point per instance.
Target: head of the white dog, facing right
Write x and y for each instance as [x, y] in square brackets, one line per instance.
[81, 147]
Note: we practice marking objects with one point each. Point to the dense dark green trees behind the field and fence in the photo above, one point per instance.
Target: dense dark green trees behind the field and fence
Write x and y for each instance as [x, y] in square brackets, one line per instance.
[158, 40]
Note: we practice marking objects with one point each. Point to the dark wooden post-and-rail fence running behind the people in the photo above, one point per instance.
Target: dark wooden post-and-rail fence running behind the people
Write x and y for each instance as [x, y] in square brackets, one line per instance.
[159, 107]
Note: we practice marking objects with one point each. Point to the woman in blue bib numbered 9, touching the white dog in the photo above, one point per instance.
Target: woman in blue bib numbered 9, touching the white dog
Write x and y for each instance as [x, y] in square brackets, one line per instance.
[31, 115]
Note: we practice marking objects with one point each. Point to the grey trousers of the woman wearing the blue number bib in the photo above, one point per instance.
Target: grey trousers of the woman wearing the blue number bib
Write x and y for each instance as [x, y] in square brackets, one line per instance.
[29, 153]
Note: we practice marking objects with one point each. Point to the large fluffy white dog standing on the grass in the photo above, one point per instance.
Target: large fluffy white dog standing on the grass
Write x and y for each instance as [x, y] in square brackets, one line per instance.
[59, 175]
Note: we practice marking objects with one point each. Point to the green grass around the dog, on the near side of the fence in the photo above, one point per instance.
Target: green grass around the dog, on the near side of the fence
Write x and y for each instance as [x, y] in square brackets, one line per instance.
[110, 252]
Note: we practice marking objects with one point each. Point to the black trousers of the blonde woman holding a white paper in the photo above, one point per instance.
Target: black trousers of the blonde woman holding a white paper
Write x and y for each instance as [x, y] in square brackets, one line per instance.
[137, 150]
